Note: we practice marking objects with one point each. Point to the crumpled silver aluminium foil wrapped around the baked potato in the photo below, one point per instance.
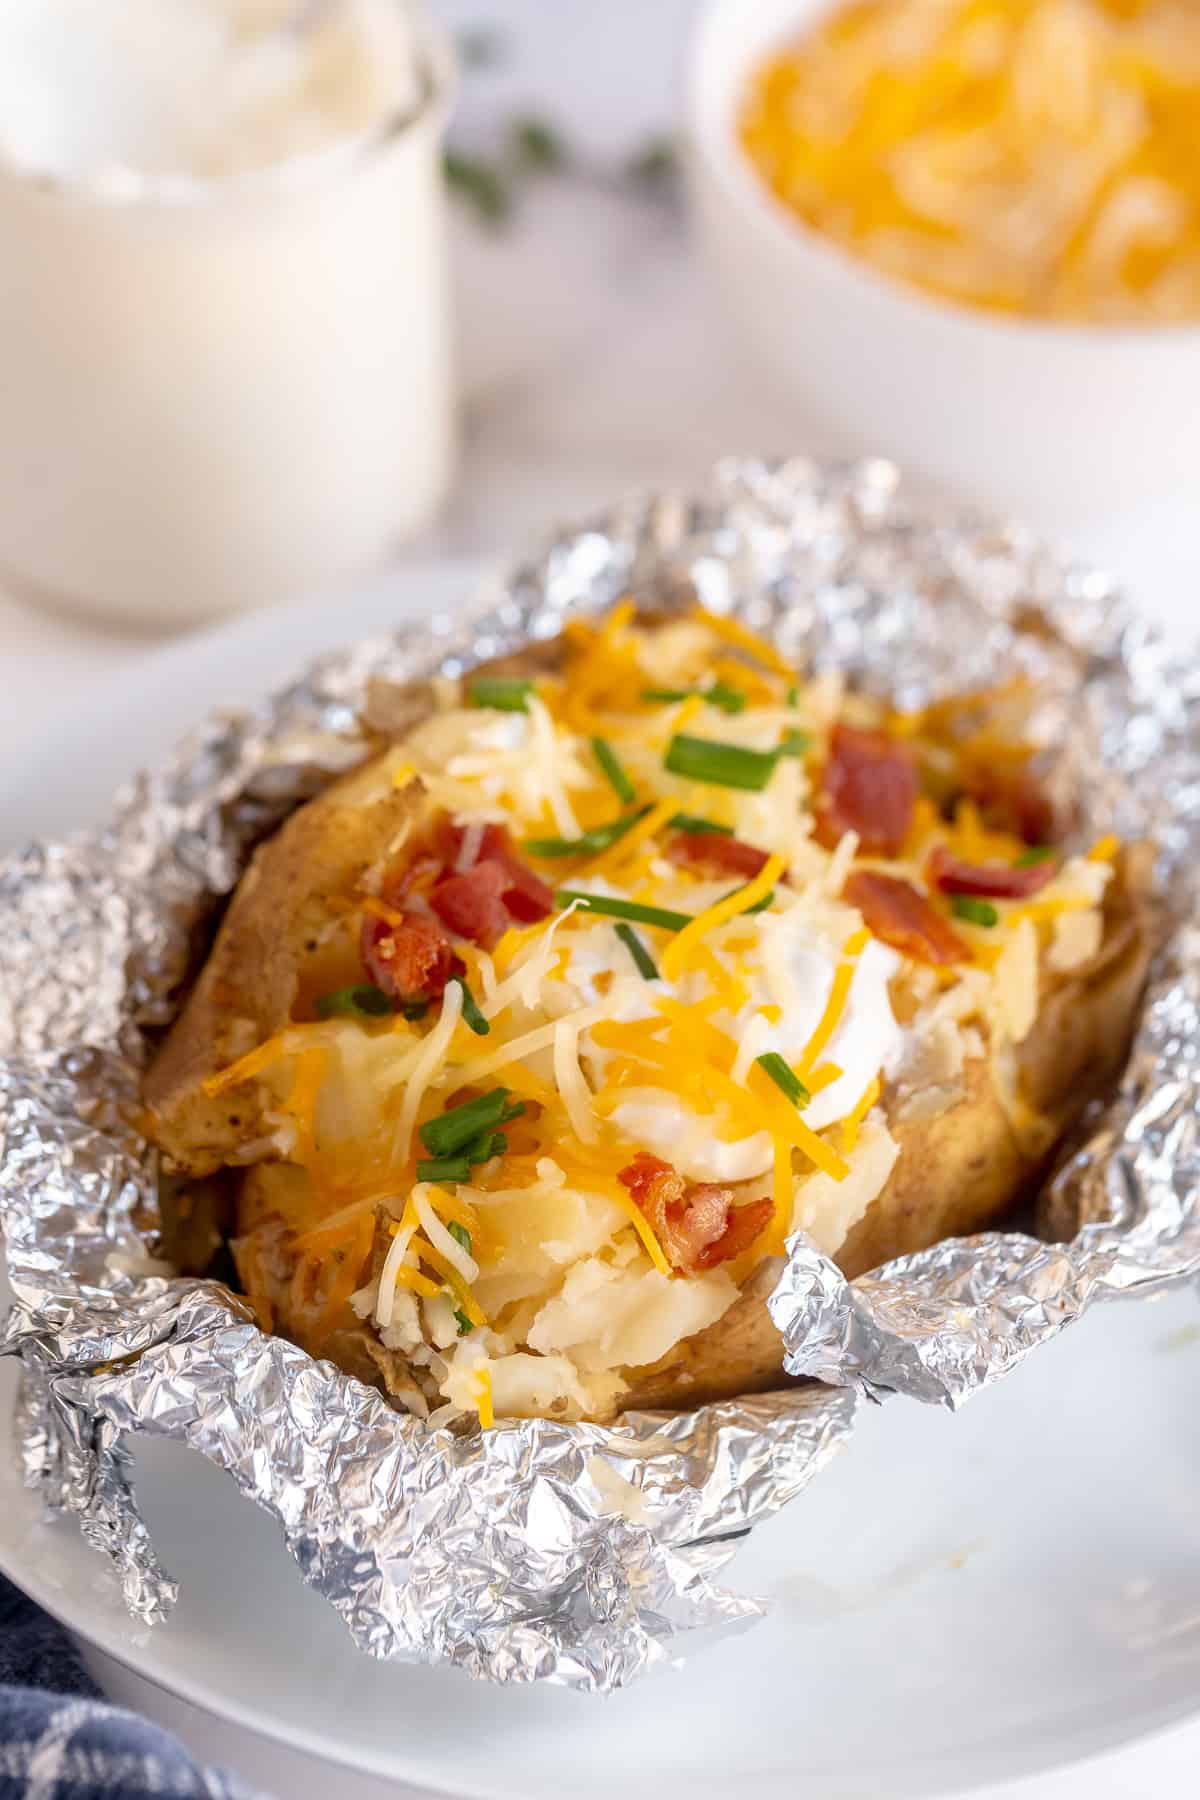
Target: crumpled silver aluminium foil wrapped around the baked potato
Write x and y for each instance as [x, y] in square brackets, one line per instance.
[537, 1551]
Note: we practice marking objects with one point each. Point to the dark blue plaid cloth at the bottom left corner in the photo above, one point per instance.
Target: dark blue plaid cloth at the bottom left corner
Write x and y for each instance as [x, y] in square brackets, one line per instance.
[62, 1741]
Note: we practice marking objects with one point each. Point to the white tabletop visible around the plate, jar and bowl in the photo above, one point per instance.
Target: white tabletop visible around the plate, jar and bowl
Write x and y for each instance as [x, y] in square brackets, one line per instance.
[595, 359]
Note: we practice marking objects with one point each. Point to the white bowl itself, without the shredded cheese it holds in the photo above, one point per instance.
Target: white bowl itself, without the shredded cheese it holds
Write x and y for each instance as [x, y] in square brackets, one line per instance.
[1053, 422]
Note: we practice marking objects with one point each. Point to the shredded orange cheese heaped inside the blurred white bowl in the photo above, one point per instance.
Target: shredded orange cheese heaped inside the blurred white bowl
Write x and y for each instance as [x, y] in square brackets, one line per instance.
[1017, 156]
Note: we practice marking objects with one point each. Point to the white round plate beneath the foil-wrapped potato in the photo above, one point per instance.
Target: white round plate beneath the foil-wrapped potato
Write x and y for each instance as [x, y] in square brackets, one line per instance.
[956, 1601]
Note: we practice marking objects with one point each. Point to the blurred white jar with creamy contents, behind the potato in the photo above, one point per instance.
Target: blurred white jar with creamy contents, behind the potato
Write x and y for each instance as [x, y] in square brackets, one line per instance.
[224, 300]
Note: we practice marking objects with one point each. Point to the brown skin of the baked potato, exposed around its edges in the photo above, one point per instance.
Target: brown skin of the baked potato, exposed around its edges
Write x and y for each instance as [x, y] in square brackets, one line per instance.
[956, 1174]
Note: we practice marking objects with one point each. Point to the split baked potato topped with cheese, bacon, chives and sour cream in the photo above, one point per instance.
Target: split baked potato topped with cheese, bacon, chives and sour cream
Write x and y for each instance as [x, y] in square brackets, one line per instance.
[528, 1043]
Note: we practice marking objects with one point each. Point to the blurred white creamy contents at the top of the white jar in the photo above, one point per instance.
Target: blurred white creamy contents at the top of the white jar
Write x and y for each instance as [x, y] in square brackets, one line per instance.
[195, 87]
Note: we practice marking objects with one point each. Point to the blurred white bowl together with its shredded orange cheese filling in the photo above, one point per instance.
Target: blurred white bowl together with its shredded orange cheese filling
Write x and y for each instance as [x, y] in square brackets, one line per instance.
[967, 233]
